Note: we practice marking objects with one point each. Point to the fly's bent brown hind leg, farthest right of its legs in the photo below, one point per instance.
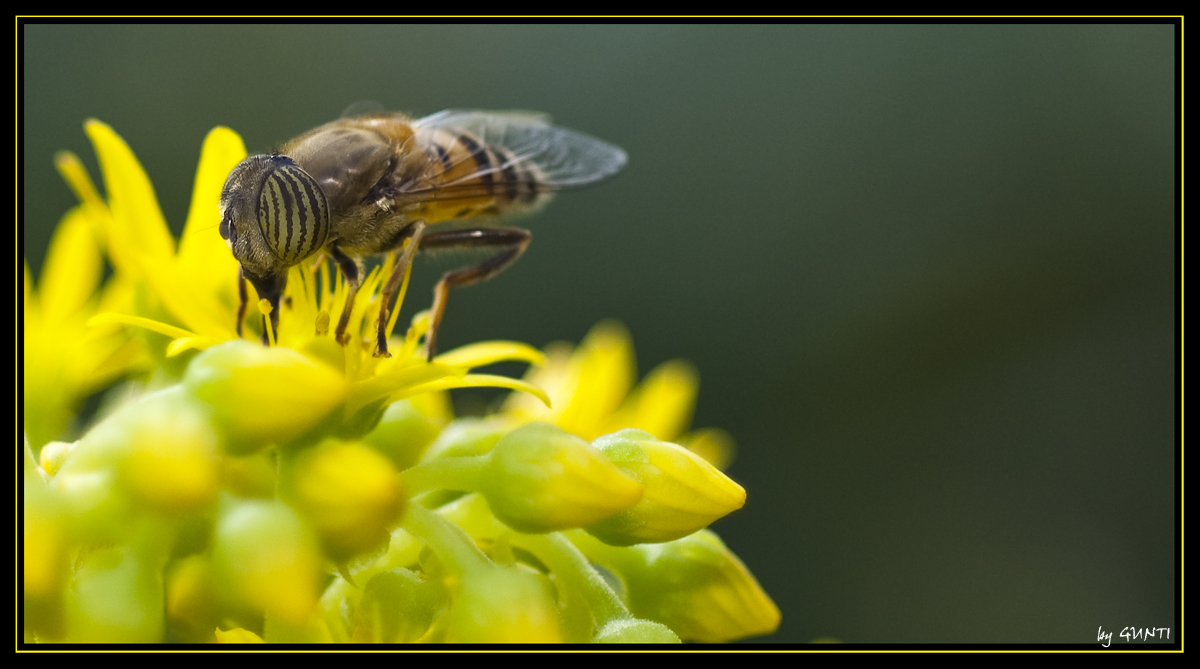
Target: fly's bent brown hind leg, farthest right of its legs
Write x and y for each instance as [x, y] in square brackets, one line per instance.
[514, 239]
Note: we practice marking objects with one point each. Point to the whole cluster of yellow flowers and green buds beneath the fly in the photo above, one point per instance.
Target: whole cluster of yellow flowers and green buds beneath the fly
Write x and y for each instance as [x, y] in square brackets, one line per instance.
[313, 493]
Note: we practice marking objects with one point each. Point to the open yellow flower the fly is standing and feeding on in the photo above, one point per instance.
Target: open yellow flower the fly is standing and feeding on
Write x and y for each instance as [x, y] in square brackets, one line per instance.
[190, 293]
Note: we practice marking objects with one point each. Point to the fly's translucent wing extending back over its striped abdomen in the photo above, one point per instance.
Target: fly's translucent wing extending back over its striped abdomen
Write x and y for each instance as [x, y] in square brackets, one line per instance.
[565, 159]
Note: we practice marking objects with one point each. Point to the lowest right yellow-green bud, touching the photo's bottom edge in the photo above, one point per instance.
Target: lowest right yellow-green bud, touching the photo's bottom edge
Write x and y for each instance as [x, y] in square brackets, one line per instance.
[695, 586]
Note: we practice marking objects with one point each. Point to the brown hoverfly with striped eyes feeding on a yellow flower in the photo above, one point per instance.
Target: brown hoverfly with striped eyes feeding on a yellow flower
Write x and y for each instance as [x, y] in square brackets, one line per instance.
[364, 186]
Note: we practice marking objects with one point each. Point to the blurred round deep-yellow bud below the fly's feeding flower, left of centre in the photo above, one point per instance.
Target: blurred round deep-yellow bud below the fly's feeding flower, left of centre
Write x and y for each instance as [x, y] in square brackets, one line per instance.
[351, 495]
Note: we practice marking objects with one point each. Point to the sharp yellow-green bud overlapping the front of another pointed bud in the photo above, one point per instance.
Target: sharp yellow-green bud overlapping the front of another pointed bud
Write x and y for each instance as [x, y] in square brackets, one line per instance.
[542, 479]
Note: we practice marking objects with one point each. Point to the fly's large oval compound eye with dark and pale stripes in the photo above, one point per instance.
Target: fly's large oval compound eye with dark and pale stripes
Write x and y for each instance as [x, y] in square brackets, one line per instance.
[293, 213]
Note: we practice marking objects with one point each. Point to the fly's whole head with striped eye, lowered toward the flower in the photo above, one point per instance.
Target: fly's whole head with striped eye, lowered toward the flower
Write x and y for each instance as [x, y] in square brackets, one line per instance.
[274, 215]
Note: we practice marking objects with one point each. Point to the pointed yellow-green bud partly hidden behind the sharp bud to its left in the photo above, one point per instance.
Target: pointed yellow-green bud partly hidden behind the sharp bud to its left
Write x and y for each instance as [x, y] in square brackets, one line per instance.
[683, 492]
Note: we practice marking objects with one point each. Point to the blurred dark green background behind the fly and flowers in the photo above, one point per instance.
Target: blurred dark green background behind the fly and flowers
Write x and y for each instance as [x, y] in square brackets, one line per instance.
[928, 273]
